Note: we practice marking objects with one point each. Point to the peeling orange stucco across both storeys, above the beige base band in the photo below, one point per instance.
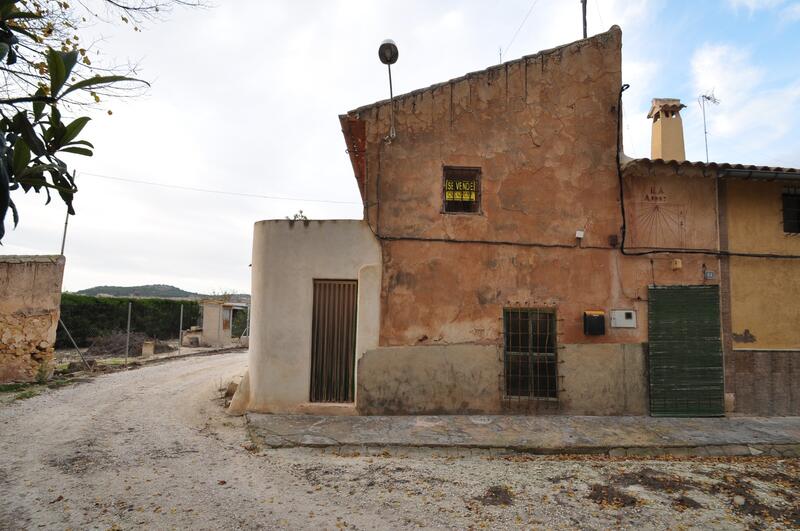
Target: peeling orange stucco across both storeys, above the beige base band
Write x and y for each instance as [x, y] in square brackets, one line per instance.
[520, 123]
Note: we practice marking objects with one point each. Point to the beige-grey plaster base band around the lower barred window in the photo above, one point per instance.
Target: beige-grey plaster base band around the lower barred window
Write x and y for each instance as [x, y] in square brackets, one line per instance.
[468, 379]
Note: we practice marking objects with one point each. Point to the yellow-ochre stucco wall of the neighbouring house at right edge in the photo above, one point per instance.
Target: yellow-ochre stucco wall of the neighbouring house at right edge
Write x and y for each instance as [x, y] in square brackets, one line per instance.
[765, 293]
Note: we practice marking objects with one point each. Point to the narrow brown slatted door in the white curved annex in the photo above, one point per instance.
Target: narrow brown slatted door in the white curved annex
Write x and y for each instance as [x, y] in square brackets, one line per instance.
[333, 340]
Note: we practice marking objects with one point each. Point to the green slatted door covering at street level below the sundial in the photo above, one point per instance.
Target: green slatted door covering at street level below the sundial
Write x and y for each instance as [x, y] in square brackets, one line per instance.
[685, 354]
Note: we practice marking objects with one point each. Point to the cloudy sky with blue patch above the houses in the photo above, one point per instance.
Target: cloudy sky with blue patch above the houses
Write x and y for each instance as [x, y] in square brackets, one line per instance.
[245, 98]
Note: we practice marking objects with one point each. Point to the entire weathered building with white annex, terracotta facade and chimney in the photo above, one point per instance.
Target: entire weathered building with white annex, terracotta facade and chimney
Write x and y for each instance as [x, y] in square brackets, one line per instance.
[494, 271]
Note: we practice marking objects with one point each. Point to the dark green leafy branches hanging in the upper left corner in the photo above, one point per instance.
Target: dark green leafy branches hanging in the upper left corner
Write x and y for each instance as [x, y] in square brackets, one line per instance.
[46, 67]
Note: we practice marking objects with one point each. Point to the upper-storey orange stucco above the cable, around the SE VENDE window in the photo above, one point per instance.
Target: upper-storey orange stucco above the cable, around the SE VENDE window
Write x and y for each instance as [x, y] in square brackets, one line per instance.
[520, 123]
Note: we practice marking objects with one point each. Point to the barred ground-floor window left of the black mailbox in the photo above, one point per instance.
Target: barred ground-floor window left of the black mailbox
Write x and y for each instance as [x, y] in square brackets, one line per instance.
[530, 353]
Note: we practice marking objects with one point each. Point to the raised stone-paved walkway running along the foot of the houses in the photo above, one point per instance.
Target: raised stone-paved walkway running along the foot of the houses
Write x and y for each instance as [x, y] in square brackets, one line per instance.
[556, 434]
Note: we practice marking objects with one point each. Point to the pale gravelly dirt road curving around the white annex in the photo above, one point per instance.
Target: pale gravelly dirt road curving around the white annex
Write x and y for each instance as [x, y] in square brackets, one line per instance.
[152, 449]
